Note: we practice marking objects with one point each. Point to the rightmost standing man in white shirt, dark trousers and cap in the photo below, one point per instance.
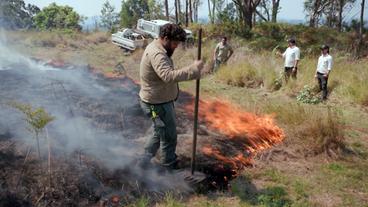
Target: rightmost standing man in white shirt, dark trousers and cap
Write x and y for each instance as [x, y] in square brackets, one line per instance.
[324, 67]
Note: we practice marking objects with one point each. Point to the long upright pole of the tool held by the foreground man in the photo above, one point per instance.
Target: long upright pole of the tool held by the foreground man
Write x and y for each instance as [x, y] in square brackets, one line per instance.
[196, 105]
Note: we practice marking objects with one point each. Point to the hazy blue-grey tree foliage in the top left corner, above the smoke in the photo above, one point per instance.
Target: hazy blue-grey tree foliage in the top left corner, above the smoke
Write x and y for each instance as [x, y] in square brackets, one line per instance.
[15, 14]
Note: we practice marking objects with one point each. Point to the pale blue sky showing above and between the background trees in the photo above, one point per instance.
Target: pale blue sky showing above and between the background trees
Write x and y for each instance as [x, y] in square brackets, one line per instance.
[290, 9]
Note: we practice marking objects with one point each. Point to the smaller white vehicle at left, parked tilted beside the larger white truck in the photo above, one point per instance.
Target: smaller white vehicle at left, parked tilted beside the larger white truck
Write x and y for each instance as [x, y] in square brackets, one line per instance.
[129, 39]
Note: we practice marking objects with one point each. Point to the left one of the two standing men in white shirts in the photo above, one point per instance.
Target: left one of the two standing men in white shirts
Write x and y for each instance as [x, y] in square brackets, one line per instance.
[292, 57]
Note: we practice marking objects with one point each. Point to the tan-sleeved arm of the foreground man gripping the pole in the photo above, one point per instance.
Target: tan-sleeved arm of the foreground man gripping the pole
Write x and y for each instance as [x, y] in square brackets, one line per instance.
[163, 68]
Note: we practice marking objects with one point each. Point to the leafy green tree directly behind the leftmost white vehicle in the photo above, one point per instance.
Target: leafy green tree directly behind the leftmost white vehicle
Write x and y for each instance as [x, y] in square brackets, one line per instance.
[131, 11]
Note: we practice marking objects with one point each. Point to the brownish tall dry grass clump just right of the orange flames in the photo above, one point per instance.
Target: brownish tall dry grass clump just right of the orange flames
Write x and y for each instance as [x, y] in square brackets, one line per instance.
[317, 130]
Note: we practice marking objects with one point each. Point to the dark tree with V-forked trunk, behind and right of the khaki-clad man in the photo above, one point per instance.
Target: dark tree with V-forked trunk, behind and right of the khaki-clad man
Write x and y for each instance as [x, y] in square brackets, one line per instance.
[246, 10]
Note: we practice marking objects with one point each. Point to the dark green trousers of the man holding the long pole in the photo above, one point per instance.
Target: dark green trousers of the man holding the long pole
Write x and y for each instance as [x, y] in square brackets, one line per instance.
[164, 135]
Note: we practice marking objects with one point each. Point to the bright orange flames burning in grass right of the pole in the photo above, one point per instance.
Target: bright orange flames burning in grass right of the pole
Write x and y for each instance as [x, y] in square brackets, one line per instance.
[252, 133]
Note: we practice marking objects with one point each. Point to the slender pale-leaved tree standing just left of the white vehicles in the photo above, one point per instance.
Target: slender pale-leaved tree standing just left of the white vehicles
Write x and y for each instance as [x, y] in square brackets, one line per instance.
[109, 18]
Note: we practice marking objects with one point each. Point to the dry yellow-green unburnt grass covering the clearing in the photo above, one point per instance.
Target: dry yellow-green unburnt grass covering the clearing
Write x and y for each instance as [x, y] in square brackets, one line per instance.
[315, 129]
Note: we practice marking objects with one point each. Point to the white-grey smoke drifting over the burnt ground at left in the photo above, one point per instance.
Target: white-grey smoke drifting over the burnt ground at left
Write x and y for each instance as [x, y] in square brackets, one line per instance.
[63, 93]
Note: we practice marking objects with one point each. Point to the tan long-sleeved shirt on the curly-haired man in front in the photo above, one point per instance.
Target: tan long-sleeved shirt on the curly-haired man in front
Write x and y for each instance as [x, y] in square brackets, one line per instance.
[159, 79]
